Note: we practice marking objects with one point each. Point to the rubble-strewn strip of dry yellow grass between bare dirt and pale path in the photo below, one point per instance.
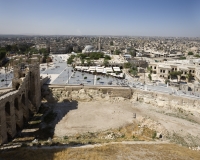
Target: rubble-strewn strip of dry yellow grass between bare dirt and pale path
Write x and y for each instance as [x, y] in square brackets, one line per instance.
[128, 133]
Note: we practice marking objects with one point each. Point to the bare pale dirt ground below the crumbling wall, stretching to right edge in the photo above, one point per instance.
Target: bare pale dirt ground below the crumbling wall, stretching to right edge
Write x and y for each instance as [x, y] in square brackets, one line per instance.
[99, 116]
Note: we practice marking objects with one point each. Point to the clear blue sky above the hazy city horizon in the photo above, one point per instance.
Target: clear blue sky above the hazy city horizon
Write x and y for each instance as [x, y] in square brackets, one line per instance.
[171, 18]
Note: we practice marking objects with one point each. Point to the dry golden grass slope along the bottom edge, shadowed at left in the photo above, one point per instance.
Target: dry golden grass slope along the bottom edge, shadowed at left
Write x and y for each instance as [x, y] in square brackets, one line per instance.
[111, 151]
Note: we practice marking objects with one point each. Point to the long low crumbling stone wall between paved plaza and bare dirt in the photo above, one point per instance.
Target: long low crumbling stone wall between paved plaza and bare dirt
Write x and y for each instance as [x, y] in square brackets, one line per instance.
[80, 93]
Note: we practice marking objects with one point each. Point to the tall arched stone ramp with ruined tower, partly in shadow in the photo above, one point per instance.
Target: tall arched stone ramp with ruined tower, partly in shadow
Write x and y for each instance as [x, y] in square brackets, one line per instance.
[22, 101]
